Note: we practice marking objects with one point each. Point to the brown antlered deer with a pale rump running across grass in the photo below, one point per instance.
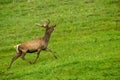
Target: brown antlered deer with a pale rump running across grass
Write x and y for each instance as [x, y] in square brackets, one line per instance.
[35, 45]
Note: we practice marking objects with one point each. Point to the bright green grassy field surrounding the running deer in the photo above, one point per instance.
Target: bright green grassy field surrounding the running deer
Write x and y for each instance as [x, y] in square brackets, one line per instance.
[86, 39]
